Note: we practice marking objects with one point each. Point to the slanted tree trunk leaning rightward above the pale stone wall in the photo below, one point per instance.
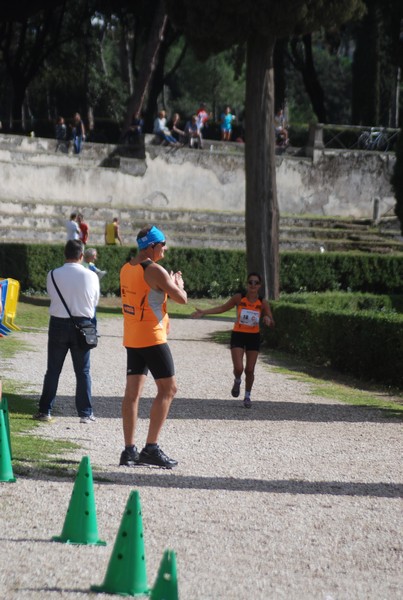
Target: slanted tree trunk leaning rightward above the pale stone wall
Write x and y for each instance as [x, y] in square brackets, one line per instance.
[148, 65]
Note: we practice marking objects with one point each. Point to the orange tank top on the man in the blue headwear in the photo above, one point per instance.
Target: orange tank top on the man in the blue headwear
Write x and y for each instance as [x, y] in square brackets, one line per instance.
[145, 317]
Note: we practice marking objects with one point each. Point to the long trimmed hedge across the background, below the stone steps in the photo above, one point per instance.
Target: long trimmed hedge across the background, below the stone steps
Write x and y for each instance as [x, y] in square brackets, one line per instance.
[215, 273]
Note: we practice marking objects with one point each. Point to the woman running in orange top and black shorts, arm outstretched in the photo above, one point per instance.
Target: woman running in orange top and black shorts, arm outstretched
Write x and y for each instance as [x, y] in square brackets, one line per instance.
[245, 337]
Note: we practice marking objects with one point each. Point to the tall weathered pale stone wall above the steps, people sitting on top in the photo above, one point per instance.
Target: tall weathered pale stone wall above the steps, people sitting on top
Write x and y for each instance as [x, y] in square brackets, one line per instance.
[330, 182]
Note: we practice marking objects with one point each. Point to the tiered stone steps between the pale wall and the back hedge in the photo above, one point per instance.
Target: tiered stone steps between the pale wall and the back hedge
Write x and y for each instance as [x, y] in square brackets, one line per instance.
[45, 223]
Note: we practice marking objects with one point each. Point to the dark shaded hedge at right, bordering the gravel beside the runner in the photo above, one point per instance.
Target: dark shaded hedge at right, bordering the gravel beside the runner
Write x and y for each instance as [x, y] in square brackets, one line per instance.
[368, 345]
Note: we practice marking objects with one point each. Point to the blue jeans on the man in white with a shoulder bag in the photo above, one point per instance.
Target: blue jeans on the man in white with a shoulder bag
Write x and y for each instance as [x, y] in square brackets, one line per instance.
[62, 337]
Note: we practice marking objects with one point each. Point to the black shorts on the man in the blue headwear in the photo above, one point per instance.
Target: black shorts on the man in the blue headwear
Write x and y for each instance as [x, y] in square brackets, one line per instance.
[157, 359]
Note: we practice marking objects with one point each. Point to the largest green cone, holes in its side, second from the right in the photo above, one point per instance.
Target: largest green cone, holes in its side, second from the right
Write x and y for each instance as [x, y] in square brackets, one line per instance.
[126, 573]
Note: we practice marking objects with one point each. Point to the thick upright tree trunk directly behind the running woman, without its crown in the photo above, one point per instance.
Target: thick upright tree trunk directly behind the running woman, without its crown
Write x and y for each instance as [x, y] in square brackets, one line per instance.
[261, 211]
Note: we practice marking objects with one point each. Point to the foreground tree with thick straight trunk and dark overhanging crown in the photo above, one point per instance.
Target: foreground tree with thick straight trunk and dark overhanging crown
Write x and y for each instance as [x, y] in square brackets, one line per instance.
[217, 25]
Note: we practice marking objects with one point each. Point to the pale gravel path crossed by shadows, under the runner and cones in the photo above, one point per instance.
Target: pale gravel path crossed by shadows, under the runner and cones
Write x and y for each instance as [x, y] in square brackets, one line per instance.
[297, 498]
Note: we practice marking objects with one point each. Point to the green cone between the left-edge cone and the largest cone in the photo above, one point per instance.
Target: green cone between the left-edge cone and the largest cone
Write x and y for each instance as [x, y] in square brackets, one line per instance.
[80, 525]
